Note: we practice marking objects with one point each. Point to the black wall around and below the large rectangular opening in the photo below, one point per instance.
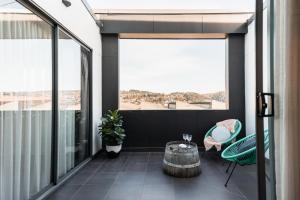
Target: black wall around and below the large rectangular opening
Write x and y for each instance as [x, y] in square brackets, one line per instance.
[151, 129]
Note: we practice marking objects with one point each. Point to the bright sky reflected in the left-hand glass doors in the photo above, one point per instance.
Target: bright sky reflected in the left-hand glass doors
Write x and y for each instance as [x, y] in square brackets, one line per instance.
[32, 69]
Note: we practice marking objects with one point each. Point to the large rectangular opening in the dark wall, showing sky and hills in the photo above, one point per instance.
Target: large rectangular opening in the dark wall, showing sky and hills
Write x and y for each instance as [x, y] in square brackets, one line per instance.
[164, 74]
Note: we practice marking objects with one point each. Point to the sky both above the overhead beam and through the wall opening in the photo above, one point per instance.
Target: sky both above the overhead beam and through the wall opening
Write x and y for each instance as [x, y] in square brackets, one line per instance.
[168, 66]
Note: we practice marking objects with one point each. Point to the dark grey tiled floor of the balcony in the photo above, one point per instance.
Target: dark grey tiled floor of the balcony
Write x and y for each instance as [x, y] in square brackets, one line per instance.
[138, 176]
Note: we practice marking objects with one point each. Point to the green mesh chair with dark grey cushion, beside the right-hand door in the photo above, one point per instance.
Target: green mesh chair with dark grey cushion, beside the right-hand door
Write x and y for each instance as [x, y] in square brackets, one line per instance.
[234, 153]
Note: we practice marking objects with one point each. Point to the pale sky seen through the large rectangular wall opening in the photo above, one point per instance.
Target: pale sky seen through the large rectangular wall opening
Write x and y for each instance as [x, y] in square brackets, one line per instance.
[172, 65]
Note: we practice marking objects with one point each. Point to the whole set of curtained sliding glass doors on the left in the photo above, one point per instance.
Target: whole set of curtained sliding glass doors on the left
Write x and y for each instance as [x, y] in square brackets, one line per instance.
[31, 119]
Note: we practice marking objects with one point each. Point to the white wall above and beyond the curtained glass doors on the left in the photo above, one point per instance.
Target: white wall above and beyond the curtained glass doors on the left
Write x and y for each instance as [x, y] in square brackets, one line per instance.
[78, 20]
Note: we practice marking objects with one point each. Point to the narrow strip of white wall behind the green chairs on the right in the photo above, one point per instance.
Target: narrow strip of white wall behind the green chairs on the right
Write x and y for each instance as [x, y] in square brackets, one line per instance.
[250, 79]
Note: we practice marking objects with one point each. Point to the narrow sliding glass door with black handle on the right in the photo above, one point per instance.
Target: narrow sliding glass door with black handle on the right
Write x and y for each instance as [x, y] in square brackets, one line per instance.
[265, 98]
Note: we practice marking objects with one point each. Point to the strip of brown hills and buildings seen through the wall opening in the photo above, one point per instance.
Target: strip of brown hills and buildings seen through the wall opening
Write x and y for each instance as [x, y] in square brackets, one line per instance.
[145, 100]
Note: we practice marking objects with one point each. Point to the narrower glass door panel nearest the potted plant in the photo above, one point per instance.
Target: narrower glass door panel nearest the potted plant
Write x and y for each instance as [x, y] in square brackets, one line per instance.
[73, 98]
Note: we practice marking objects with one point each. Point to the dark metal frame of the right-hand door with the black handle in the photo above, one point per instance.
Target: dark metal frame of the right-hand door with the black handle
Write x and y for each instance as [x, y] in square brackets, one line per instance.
[260, 150]
